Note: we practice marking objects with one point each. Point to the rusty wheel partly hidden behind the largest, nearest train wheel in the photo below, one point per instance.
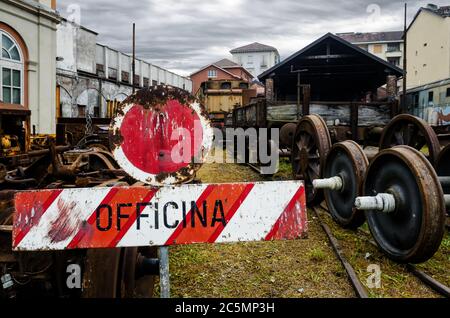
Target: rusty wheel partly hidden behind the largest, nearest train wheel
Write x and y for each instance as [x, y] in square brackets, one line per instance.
[411, 131]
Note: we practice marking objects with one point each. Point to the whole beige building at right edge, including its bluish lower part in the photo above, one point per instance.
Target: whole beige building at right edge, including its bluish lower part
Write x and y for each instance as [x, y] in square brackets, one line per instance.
[428, 53]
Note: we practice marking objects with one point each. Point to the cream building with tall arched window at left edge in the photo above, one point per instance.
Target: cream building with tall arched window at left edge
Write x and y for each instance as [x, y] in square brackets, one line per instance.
[28, 64]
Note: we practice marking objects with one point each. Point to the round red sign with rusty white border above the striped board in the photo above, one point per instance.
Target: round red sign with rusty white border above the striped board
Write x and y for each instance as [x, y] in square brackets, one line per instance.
[160, 135]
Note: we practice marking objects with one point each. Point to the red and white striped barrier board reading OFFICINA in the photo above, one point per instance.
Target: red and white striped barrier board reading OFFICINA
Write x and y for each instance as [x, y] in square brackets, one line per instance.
[143, 216]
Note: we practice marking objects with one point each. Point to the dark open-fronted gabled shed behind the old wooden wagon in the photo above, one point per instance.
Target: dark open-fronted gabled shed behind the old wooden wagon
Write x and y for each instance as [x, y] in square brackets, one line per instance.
[336, 70]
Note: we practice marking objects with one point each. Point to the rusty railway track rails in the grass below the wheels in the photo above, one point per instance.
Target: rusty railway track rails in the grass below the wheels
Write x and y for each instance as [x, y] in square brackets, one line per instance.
[432, 283]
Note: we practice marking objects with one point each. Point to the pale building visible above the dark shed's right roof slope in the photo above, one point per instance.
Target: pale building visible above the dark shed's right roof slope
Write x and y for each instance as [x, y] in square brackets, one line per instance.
[385, 45]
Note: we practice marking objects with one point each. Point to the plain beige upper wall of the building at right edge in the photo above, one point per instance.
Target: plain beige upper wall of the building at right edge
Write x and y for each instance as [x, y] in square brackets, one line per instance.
[428, 51]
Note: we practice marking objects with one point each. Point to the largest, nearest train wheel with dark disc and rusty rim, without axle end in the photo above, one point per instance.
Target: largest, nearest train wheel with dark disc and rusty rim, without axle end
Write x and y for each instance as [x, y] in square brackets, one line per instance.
[414, 231]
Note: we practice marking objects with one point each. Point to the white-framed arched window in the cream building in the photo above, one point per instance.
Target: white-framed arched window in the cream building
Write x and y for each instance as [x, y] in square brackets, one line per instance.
[11, 71]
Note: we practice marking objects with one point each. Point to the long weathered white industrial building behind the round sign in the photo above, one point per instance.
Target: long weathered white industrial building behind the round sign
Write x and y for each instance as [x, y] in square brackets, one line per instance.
[92, 78]
